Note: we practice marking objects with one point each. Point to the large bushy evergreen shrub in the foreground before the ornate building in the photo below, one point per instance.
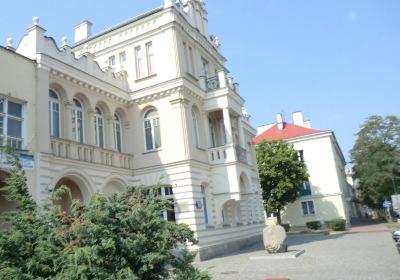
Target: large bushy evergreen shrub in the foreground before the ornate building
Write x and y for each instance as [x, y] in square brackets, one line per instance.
[115, 237]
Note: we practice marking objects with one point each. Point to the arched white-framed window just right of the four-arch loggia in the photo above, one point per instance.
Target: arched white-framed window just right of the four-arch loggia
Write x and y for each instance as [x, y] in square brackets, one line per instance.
[152, 130]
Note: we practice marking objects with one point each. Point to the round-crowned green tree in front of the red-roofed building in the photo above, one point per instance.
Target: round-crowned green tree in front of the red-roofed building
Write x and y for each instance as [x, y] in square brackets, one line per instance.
[282, 175]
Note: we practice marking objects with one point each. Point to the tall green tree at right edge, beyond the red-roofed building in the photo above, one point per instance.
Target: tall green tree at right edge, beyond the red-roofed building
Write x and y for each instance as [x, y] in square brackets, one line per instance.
[376, 159]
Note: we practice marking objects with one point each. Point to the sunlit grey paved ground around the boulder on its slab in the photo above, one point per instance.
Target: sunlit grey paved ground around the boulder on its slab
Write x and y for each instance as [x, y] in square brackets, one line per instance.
[363, 256]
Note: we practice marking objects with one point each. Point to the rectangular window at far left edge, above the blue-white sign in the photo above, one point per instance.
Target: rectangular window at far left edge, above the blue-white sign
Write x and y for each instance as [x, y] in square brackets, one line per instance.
[11, 124]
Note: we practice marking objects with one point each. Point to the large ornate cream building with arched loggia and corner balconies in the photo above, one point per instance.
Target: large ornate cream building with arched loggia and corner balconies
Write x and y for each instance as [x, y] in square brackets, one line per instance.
[147, 101]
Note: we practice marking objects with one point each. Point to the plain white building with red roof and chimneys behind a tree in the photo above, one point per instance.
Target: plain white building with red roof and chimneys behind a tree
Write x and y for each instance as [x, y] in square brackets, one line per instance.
[327, 194]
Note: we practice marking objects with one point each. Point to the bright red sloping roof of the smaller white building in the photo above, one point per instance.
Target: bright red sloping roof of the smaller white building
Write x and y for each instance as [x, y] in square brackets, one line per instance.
[289, 131]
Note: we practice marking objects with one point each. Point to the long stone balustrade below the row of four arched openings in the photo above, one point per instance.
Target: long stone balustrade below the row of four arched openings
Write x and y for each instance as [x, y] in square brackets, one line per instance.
[87, 153]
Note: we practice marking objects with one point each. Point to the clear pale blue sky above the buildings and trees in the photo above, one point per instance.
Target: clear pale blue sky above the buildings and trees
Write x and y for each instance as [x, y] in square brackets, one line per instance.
[338, 61]
